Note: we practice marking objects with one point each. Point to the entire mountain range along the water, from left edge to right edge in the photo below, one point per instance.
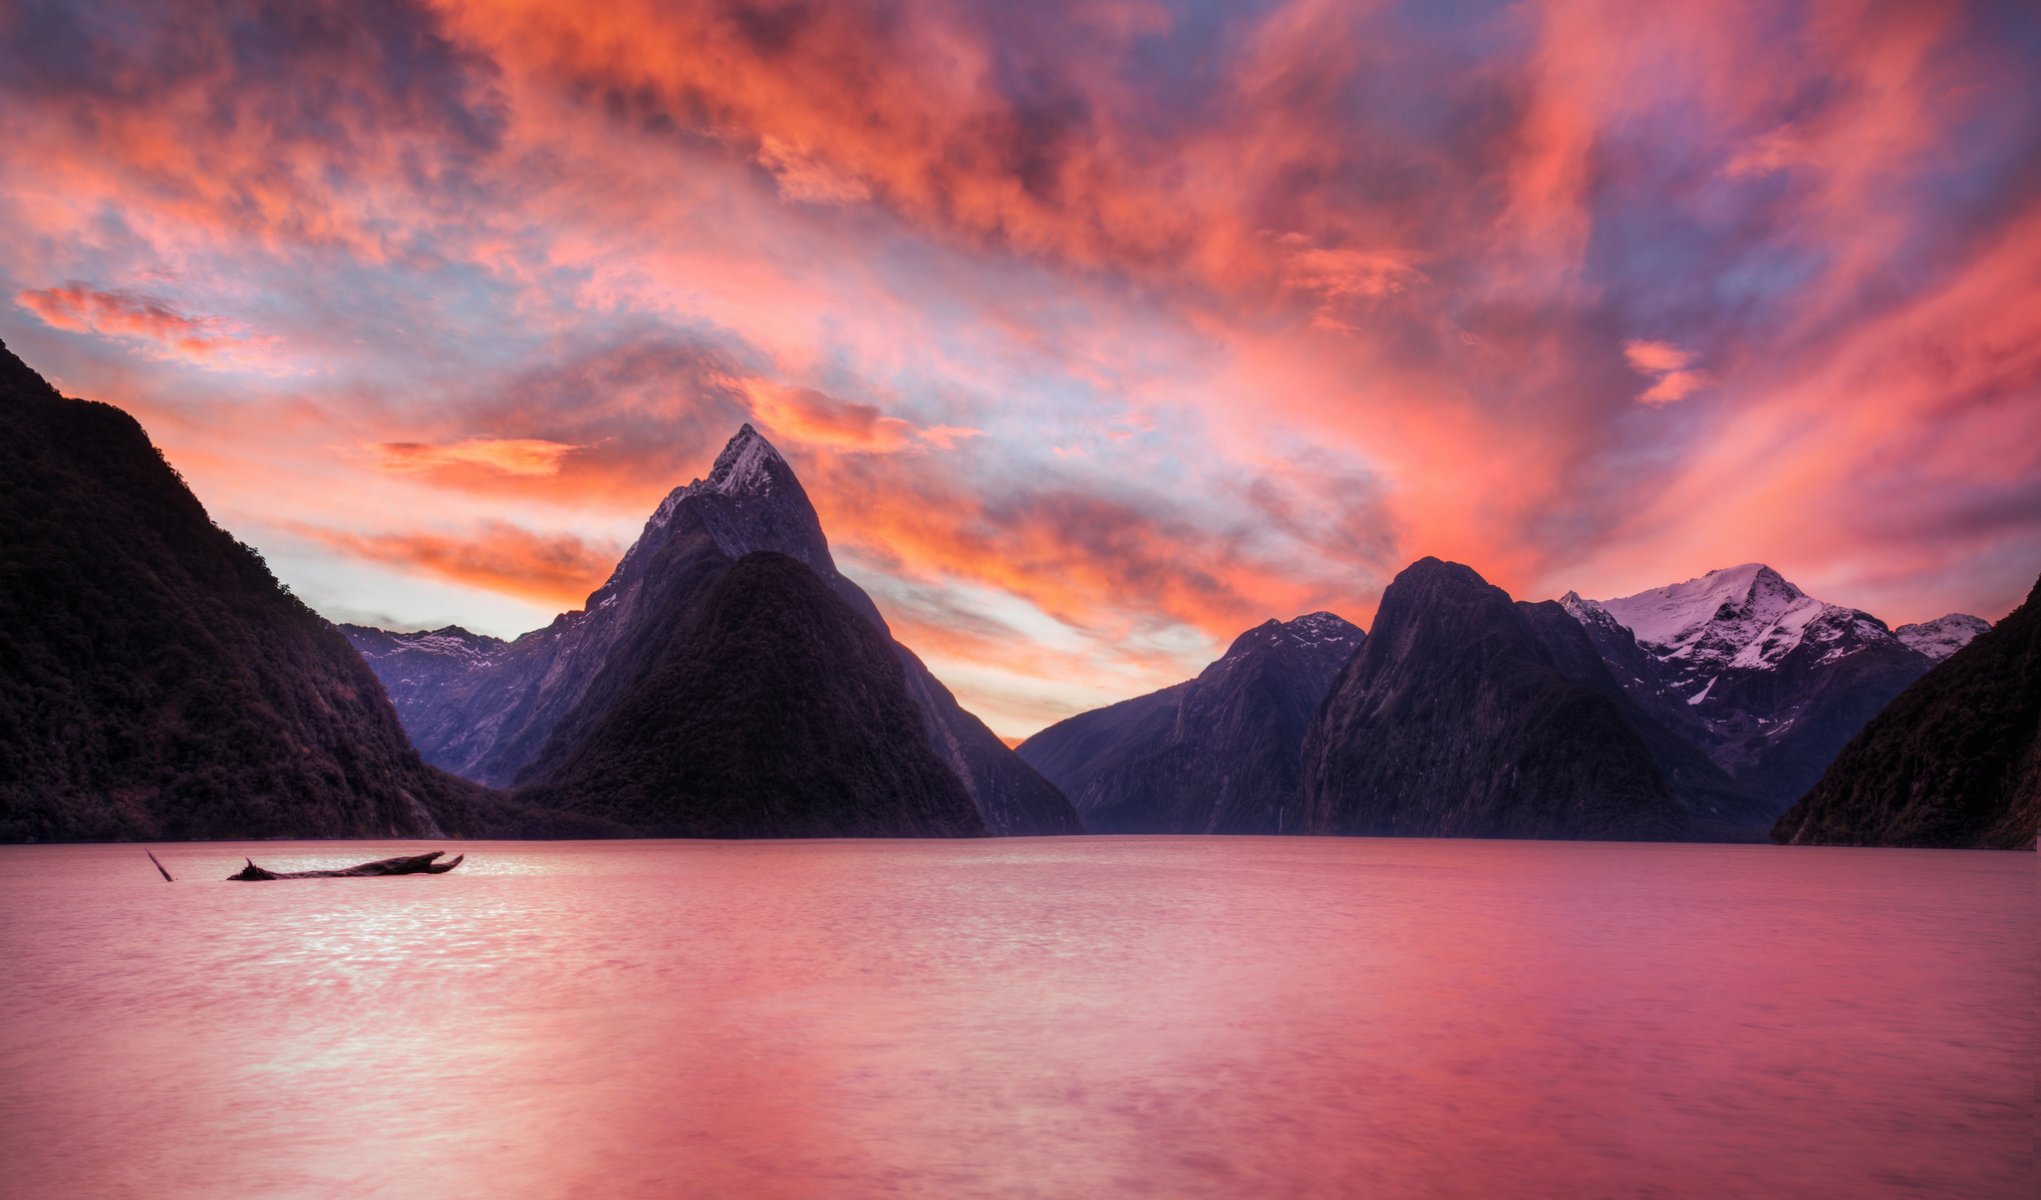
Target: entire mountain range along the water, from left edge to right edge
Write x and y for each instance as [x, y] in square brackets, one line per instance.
[156, 683]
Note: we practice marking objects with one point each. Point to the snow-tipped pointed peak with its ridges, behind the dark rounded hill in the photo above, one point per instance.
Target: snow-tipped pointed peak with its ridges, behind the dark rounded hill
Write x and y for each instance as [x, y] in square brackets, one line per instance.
[489, 711]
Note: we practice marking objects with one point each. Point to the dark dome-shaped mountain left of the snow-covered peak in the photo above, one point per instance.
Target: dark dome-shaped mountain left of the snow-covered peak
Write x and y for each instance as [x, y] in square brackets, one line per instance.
[1456, 721]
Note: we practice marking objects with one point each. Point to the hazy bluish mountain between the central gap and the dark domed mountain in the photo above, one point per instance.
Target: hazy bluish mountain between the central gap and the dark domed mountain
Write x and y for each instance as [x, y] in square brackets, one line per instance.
[1217, 754]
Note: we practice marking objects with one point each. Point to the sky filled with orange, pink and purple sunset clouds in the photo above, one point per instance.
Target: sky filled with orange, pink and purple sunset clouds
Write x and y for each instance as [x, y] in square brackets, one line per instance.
[1097, 332]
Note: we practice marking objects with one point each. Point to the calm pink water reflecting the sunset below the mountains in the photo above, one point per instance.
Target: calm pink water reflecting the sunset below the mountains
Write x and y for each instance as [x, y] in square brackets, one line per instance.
[1040, 1017]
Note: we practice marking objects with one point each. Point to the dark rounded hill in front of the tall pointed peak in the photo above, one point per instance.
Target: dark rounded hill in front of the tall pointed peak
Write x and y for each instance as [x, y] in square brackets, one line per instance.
[762, 705]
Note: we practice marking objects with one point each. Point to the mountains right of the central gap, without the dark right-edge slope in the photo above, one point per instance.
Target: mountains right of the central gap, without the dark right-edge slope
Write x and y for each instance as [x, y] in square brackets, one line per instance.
[1695, 711]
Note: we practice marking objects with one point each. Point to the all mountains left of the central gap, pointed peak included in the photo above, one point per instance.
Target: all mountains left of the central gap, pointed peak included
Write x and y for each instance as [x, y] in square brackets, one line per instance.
[156, 683]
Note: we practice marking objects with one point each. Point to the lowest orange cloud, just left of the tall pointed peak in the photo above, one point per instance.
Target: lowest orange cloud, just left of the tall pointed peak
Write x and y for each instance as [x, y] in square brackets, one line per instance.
[552, 568]
